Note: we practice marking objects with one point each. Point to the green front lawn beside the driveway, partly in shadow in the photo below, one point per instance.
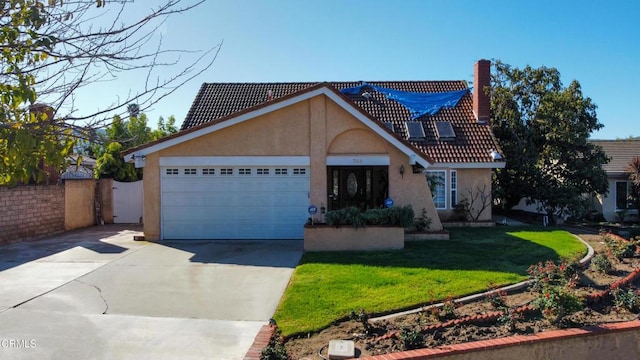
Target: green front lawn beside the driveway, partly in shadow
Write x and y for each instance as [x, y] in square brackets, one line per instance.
[326, 287]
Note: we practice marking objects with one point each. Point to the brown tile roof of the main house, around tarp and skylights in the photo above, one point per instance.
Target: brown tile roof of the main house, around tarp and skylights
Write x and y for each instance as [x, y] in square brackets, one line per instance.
[473, 142]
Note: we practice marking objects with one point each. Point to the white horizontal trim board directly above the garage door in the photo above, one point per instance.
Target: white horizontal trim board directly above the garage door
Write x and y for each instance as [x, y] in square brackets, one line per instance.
[234, 160]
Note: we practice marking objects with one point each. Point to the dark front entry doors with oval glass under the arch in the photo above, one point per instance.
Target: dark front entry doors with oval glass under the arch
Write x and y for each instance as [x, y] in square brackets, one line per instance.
[361, 186]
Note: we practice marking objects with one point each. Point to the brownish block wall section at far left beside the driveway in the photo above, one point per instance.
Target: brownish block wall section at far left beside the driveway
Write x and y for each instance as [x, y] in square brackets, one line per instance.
[30, 211]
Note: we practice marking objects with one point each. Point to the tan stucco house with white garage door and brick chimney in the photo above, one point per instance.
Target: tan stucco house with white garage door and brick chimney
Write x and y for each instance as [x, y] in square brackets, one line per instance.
[251, 158]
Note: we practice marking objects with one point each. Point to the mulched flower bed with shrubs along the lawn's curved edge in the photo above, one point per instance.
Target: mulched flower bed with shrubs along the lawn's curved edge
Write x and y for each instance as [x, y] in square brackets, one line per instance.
[606, 298]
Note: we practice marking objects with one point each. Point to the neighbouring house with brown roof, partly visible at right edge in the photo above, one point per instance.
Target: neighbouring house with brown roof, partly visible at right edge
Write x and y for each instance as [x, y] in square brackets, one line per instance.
[618, 200]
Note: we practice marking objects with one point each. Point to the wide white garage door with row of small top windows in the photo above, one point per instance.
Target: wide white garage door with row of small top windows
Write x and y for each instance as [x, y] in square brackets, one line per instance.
[234, 202]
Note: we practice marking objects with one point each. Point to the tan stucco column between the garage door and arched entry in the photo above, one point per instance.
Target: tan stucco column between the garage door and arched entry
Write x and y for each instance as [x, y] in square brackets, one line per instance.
[318, 151]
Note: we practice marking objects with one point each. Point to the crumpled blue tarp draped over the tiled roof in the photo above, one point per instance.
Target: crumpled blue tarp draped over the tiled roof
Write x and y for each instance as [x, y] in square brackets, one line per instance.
[417, 103]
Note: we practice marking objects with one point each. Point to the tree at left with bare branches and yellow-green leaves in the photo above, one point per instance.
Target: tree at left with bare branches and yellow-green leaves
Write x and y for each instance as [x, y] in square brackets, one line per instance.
[50, 49]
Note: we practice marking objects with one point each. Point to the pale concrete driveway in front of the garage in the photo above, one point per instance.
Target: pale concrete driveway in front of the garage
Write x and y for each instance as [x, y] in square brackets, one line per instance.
[97, 294]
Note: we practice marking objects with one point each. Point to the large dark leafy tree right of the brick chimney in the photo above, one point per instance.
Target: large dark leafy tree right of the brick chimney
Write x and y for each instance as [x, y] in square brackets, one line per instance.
[543, 128]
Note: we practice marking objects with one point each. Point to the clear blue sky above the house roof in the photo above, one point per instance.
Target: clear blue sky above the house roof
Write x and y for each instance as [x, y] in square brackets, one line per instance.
[594, 42]
